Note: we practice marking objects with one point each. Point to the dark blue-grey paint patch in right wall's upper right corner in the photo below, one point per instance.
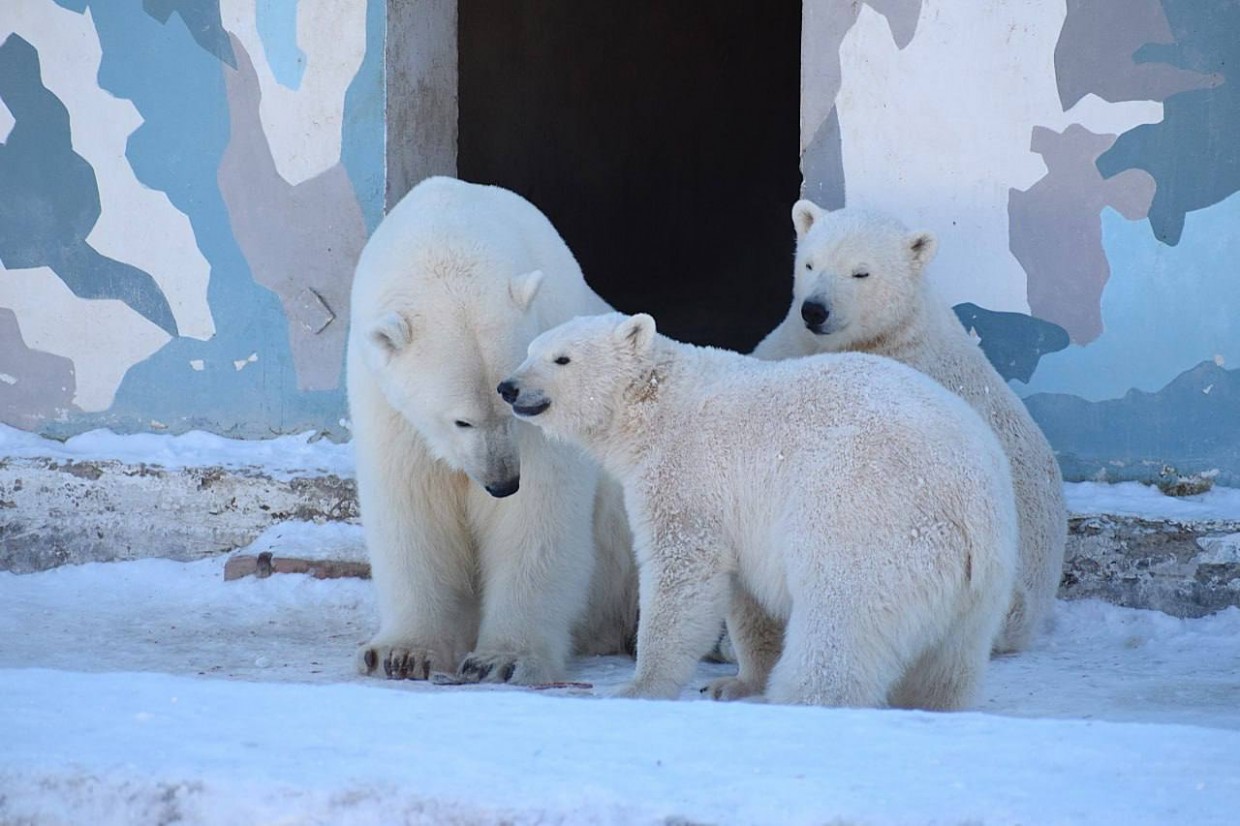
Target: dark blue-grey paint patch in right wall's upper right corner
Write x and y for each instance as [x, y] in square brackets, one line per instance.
[1195, 152]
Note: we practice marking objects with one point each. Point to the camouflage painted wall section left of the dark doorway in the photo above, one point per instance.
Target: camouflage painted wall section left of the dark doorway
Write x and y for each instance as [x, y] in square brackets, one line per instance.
[185, 187]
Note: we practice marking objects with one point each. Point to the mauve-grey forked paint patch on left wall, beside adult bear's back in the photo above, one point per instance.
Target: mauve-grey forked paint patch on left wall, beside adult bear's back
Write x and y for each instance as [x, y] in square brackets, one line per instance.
[302, 242]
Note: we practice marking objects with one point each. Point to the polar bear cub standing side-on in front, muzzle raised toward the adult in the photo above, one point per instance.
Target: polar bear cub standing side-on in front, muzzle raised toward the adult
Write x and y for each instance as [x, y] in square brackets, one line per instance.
[849, 497]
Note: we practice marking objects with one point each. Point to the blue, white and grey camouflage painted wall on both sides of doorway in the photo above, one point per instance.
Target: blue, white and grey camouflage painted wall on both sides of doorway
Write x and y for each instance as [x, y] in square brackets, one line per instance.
[187, 184]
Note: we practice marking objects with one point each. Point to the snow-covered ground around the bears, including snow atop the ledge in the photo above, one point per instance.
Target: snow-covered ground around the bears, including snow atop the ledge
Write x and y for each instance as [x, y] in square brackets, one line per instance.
[156, 693]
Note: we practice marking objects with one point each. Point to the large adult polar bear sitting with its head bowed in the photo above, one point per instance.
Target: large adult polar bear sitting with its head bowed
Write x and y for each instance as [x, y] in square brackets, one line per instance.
[492, 550]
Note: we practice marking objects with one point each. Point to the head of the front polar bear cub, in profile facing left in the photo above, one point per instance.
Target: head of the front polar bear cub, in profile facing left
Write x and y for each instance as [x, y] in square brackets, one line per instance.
[575, 379]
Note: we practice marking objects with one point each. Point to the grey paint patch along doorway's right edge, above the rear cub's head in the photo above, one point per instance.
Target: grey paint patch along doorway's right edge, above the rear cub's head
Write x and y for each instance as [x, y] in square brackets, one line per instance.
[823, 161]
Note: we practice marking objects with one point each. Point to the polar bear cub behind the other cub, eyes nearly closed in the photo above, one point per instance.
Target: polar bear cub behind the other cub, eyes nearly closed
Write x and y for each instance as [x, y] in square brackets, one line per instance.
[866, 272]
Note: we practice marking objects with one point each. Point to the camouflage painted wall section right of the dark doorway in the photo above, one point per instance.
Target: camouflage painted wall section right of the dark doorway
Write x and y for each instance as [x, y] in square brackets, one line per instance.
[1081, 163]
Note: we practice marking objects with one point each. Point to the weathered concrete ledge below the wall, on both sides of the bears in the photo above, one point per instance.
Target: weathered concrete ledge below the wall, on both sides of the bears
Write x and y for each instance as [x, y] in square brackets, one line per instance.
[56, 513]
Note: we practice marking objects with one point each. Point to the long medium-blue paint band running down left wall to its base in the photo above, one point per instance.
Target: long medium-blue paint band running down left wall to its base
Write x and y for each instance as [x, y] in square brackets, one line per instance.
[179, 90]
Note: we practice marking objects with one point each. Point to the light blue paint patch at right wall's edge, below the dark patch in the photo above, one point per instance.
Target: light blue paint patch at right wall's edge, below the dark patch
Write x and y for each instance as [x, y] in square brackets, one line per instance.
[1165, 308]
